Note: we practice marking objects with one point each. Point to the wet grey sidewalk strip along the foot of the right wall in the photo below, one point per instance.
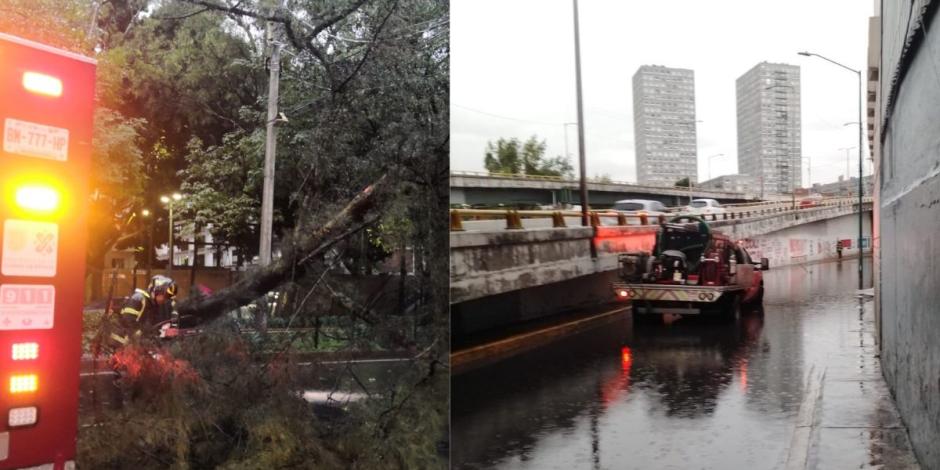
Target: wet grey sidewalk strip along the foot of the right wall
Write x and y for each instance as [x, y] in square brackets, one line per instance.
[849, 419]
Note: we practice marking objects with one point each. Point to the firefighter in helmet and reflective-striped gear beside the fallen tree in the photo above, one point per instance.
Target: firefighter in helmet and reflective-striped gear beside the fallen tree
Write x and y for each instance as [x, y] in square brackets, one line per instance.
[146, 308]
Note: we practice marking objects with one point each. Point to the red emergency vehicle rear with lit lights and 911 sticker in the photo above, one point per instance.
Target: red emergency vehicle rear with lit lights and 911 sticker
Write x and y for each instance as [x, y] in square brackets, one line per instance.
[46, 119]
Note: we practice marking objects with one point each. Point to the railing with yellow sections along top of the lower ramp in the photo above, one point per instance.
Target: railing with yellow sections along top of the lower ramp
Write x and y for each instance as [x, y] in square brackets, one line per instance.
[561, 218]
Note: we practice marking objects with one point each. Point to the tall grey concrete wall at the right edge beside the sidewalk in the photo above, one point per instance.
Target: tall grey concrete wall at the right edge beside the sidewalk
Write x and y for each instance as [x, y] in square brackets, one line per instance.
[909, 220]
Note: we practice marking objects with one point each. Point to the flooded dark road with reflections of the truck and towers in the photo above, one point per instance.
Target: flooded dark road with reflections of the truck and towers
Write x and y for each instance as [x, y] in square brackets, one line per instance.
[688, 395]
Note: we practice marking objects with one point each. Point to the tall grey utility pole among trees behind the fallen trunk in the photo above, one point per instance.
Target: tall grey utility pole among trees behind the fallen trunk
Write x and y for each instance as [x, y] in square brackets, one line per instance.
[267, 195]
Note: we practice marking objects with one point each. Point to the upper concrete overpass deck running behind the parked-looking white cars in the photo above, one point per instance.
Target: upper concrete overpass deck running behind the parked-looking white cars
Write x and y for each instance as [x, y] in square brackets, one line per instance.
[486, 188]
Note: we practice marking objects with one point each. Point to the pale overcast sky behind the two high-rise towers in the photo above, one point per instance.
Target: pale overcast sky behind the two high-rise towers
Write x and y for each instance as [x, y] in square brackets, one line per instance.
[512, 73]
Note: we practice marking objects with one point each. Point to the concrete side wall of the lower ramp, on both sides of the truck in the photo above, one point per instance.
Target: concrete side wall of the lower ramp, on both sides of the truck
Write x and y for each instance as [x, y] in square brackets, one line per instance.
[530, 272]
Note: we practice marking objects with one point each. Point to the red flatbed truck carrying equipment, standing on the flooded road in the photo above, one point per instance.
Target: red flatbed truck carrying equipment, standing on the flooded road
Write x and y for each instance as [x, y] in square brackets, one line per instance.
[693, 270]
